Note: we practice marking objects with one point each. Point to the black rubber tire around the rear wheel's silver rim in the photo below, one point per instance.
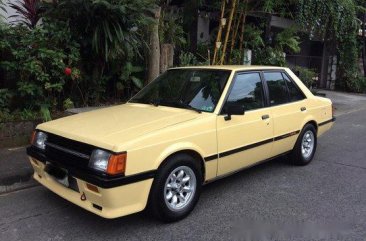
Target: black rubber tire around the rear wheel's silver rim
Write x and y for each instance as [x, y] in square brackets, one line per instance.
[297, 157]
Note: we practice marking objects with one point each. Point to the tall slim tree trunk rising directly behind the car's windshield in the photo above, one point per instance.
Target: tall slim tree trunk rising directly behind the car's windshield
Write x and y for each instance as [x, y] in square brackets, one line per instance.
[154, 51]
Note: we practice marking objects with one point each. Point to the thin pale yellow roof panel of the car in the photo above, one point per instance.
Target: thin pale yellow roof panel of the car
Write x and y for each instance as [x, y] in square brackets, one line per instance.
[232, 67]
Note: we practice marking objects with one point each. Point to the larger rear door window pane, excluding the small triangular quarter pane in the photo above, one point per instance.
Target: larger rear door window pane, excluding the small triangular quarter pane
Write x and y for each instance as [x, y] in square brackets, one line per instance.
[278, 92]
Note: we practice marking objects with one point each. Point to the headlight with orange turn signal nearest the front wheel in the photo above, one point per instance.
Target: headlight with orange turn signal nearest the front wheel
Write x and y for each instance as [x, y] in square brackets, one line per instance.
[108, 162]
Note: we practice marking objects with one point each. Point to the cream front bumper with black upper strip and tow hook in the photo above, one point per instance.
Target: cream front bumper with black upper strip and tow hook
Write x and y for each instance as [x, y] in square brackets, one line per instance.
[108, 201]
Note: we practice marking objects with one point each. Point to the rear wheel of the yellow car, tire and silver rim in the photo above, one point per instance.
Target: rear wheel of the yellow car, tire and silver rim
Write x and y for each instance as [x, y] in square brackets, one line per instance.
[305, 147]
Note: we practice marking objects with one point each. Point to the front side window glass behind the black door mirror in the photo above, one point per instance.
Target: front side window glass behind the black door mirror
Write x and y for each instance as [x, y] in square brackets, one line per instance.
[247, 91]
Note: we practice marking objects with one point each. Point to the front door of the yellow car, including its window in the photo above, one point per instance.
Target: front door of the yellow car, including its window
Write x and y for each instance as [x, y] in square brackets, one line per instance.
[244, 139]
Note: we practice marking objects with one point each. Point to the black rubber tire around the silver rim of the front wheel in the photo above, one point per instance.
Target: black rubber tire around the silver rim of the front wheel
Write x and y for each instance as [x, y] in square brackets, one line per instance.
[157, 204]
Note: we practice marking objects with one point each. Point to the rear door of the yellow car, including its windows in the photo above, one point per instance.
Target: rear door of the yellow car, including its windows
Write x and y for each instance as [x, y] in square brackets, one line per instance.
[288, 106]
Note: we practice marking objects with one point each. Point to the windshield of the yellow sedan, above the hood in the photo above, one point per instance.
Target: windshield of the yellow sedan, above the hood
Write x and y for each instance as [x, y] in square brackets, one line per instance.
[197, 89]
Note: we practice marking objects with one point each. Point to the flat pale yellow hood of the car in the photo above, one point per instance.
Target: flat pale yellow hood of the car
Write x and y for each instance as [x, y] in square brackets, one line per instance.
[109, 127]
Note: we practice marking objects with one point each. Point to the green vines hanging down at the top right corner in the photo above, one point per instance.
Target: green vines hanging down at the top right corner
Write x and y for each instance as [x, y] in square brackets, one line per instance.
[336, 22]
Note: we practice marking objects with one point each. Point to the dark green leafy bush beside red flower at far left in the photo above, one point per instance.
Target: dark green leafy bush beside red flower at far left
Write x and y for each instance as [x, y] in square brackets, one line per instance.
[38, 59]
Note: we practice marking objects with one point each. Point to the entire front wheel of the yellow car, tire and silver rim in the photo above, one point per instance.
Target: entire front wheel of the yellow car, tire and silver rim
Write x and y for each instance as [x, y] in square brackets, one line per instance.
[176, 188]
